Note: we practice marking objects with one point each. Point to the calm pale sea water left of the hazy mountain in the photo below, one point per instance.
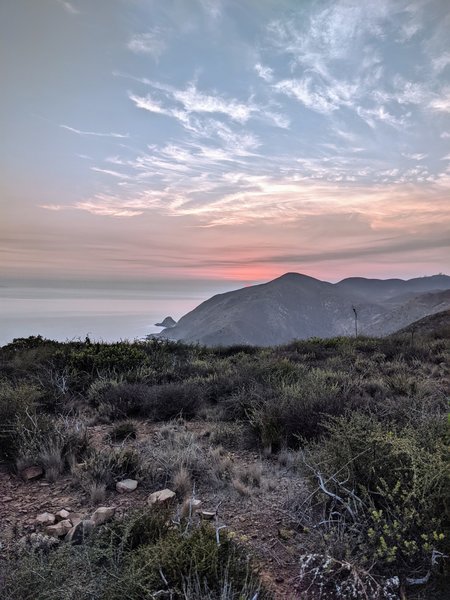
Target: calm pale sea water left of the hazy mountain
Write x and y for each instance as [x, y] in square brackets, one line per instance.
[107, 315]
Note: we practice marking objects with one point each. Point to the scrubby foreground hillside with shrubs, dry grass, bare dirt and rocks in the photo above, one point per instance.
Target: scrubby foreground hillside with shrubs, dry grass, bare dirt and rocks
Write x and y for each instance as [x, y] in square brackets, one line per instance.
[315, 470]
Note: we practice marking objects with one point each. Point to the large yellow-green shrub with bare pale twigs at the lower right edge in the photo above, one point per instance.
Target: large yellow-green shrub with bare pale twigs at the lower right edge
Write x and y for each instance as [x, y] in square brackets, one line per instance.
[387, 486]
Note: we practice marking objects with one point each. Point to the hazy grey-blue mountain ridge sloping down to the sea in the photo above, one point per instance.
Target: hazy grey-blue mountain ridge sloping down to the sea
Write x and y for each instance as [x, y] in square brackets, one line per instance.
[297, 306]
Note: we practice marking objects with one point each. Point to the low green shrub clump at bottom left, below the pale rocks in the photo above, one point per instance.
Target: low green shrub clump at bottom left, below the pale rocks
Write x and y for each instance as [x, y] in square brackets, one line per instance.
[142, 556]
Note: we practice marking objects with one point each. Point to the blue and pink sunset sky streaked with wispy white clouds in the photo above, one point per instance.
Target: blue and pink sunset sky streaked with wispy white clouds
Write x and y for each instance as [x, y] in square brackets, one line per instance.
[223, 142]
